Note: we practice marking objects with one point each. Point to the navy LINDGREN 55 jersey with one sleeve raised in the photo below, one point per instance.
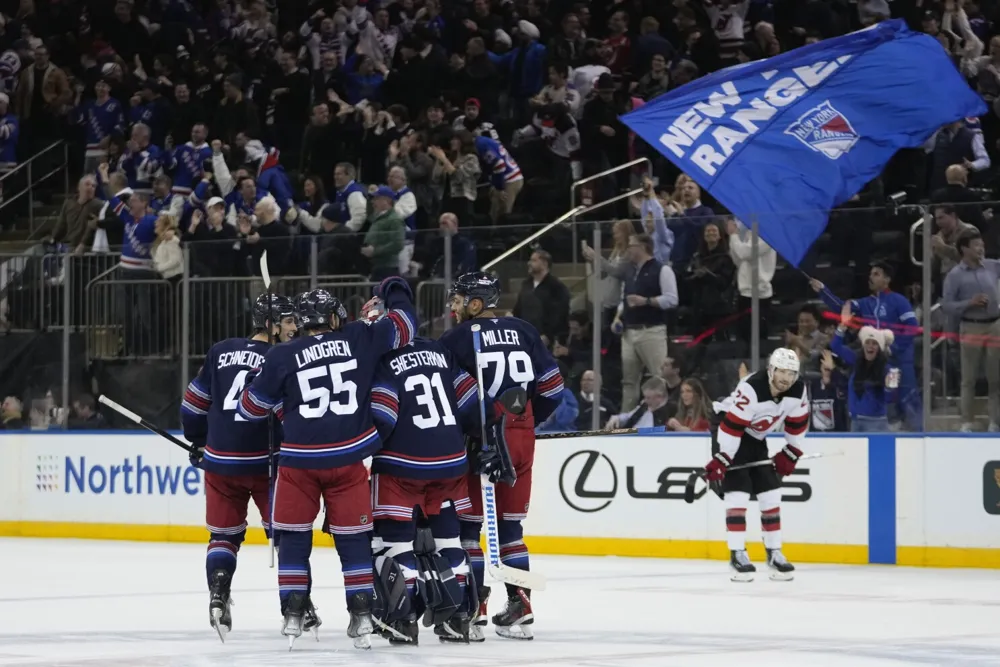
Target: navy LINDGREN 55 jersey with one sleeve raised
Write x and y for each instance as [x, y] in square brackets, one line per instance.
[322, 384]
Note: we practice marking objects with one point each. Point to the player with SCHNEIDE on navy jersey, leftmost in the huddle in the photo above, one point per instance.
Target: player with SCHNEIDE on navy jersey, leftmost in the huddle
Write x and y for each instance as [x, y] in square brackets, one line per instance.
[232, 451]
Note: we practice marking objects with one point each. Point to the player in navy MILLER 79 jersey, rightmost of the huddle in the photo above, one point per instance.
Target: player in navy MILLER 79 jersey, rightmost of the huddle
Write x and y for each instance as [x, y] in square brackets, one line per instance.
[515, 361]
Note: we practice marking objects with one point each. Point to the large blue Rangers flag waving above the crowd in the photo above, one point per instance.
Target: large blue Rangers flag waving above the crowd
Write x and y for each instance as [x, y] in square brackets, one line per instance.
[783, 140]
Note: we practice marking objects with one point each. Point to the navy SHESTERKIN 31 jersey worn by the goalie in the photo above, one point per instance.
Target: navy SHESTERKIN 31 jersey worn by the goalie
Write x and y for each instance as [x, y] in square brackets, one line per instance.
[421, 402]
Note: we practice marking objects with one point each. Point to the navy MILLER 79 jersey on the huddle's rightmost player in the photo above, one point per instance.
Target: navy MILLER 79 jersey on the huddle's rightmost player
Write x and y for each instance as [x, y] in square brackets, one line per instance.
[513, 354]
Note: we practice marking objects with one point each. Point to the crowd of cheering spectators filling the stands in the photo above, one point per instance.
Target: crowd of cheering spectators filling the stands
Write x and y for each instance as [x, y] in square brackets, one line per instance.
[354, 126]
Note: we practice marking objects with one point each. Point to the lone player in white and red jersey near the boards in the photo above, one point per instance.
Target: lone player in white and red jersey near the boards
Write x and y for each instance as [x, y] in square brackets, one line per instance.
[762, 403]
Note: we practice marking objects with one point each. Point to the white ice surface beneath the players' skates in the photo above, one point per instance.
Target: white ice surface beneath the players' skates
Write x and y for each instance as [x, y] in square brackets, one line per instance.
[119, 604]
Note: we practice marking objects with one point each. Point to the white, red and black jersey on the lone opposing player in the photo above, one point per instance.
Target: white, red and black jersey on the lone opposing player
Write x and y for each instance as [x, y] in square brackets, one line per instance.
[751, 410]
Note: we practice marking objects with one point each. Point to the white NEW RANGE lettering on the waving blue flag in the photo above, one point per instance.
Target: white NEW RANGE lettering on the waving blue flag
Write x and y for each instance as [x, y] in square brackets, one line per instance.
[730, 127]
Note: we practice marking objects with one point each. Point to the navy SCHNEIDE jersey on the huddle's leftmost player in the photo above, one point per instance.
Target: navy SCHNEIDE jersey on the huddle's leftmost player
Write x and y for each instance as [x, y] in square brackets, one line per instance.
[233, 445]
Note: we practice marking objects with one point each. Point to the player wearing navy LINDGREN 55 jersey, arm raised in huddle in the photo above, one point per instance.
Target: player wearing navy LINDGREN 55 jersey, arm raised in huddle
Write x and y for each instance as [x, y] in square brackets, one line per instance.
[322, 380]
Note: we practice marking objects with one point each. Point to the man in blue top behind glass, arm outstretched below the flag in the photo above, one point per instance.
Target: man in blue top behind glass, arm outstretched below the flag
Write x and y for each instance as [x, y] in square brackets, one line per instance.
[885, 309]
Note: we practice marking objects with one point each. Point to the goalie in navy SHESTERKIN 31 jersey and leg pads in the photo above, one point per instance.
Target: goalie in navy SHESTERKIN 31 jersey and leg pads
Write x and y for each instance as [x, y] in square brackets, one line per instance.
[421, 402]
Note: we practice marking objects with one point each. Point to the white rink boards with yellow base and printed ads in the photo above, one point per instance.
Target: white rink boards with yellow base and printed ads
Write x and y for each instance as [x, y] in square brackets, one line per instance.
[871, 499]
